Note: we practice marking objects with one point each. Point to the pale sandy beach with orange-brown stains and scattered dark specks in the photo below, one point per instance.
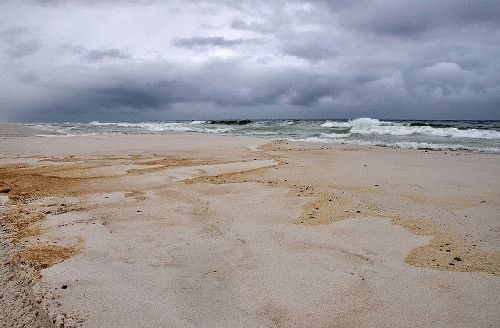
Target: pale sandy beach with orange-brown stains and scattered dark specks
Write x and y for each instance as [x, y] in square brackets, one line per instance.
[204, 231]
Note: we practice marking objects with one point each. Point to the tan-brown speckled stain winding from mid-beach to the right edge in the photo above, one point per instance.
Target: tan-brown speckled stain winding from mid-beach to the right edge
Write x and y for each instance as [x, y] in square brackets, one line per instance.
[445, 252]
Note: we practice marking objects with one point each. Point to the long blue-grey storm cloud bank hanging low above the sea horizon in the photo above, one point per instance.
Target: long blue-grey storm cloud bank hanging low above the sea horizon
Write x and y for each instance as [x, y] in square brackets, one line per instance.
[434, 91]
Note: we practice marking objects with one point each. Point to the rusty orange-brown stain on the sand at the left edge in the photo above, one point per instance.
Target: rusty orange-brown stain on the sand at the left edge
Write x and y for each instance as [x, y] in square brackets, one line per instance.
[24, 183]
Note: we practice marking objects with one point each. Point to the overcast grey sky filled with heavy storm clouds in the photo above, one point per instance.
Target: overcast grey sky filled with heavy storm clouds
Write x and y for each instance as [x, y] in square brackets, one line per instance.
[136, 60]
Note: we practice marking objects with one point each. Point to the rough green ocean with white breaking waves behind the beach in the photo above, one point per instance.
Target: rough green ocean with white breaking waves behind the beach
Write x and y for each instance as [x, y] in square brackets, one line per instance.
[466, 136]
